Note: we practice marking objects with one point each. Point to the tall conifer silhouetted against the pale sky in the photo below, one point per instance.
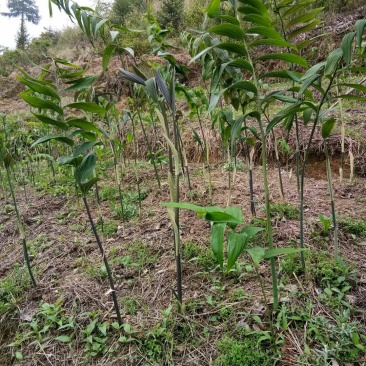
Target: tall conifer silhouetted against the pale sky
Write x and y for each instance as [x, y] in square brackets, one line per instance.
[28, 11]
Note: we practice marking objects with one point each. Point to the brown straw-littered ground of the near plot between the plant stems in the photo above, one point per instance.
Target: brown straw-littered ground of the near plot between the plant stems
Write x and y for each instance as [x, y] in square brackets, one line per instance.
[61, 276]
